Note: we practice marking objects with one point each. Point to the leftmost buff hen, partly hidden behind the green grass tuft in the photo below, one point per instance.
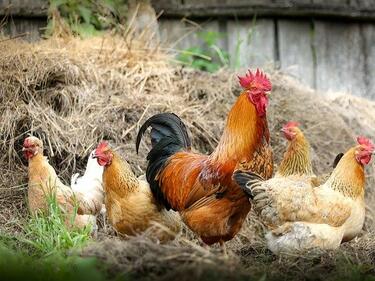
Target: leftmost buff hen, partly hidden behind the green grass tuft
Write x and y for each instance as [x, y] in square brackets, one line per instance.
[44, 182]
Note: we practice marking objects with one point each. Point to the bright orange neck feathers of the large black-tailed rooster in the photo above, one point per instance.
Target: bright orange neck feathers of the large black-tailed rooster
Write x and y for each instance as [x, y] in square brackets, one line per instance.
[242, 134]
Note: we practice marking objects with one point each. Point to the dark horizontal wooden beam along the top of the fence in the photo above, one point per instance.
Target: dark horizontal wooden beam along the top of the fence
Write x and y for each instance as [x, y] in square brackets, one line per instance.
[360, 10]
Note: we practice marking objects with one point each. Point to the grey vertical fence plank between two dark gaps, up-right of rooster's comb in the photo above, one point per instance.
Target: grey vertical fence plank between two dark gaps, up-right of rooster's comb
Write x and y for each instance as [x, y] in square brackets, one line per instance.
[295, 49]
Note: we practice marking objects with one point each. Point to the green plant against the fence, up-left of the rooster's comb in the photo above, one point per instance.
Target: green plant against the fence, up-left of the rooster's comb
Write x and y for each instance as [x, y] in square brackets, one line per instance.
[208, 57]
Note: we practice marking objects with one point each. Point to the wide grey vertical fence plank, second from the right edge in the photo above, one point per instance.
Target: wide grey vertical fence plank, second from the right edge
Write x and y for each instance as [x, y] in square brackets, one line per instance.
[339, 58]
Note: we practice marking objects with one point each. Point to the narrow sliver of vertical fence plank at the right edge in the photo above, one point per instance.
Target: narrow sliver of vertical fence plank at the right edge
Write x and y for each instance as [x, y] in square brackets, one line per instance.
[368, 35]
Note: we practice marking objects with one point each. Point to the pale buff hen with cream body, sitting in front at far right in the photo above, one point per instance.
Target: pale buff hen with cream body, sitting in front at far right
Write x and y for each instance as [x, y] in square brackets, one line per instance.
[300, 216]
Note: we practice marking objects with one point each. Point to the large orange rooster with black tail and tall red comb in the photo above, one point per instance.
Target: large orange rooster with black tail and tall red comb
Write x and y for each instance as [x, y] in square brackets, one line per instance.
[200, 187]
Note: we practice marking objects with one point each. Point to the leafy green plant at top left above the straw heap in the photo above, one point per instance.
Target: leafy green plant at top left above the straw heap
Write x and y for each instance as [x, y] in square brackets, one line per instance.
[87, 17]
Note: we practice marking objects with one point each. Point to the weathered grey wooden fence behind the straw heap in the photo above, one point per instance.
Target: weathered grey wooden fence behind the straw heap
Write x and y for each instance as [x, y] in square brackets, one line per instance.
[329, 45]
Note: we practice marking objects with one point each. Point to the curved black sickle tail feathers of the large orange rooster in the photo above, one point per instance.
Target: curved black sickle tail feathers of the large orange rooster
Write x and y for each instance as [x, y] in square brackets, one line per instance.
[168, 136]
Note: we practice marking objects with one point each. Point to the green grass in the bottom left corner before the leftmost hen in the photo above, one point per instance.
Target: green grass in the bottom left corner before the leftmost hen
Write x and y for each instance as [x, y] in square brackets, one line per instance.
[40, 251]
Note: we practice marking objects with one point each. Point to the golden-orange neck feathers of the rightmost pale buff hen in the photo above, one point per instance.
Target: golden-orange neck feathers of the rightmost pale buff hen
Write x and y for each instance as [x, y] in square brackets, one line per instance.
[349, 176]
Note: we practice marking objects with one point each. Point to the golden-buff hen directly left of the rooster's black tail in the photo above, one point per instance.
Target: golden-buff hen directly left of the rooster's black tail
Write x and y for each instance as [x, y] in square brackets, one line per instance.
[130, 206]
